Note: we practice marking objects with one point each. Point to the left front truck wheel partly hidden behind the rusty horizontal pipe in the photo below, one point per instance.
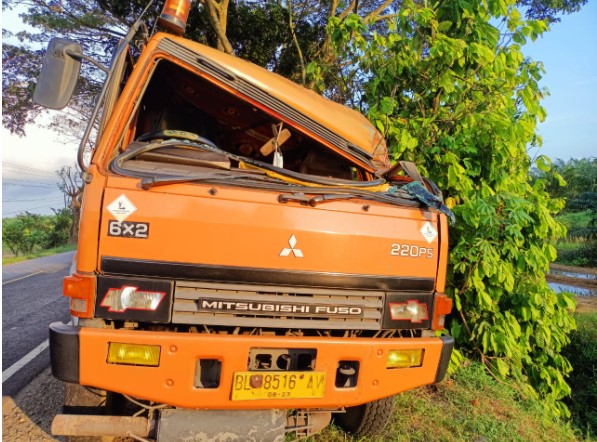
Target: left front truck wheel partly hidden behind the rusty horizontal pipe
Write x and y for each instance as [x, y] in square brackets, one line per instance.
[83, 400]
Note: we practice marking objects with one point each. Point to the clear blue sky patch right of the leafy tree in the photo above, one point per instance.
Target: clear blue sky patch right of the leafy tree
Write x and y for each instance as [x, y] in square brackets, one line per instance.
[569, 54]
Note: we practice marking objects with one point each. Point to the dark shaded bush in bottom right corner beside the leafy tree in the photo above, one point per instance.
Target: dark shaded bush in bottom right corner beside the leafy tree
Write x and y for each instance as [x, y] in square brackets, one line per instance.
[582, 354]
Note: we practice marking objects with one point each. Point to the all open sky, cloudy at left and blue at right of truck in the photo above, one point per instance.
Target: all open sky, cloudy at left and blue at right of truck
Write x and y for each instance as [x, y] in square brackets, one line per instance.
[568, 51]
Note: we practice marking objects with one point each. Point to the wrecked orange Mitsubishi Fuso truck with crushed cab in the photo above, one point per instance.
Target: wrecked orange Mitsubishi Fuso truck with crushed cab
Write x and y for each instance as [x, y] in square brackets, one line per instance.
[249, 263]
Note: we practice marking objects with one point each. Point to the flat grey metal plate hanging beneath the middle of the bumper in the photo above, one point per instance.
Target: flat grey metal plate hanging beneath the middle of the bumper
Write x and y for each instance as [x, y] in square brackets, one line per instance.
[221, 425]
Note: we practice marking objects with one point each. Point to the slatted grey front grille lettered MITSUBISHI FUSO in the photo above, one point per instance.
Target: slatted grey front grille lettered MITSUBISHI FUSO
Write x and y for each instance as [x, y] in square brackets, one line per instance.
[276, 307]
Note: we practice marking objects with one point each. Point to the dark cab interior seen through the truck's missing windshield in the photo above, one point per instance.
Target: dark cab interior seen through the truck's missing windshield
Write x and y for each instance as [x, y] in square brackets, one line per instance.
[178, 99]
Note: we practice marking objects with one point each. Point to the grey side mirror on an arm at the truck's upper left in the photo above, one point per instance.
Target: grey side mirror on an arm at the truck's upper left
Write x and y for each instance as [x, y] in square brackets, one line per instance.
[59, 73]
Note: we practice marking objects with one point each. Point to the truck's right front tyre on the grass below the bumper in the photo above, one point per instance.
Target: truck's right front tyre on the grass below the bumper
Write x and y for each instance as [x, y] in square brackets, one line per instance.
[368, 419]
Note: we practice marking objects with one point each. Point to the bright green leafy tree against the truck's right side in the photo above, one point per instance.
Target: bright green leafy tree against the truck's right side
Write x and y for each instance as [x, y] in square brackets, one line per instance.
[454, 93]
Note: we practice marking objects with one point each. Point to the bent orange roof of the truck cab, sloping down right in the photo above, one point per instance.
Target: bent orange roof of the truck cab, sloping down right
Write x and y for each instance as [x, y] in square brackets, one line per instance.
[345, 122]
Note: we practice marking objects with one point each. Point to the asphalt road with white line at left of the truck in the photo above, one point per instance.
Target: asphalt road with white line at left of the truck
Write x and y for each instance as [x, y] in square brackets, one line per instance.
[31, 300]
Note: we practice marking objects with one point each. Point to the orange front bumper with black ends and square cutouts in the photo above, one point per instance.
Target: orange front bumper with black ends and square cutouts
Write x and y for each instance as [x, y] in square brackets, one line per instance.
[79, 355]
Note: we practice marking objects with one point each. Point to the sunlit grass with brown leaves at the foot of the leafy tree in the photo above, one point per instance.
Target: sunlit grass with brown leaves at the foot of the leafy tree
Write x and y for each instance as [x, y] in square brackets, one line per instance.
[467, 406]
